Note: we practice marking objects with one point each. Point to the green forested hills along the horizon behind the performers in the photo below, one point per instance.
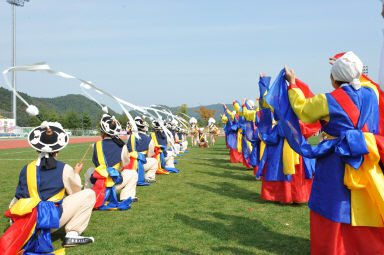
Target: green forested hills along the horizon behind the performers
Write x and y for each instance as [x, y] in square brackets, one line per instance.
[74, 110]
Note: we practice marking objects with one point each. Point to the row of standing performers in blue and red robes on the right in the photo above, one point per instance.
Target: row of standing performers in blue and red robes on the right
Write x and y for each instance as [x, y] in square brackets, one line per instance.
[341, 178]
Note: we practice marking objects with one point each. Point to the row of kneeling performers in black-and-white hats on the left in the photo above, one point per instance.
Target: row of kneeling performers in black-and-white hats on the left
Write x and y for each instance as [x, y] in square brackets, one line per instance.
[50, 194]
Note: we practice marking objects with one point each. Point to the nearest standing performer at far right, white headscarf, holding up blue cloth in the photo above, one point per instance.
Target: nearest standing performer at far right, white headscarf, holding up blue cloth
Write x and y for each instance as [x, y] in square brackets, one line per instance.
[347, 198]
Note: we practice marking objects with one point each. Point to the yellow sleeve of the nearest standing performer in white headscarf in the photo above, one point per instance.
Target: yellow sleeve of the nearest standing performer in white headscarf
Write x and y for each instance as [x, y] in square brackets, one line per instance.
[309, 110]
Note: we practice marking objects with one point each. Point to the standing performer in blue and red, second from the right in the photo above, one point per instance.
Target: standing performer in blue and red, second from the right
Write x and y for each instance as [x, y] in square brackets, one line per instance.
[286, 176]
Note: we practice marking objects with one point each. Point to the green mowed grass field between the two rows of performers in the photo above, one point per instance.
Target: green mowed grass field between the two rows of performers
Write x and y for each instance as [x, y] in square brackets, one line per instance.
[210, 207]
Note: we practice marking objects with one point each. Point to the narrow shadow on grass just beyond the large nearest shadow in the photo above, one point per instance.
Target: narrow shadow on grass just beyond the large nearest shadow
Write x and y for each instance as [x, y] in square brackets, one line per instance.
[232, 191]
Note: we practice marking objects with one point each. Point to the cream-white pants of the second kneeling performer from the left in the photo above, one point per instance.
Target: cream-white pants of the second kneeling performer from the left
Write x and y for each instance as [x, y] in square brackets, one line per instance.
[127, 187]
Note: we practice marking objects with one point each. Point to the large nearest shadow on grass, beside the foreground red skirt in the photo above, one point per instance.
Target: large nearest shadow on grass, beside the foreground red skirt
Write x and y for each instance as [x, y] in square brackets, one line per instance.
[247, 232]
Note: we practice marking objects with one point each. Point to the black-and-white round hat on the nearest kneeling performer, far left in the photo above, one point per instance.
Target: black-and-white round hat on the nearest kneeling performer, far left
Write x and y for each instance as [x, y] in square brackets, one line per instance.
[48, 137]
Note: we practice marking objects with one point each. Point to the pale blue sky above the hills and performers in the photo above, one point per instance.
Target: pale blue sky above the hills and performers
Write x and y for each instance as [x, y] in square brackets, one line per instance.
[185, 51]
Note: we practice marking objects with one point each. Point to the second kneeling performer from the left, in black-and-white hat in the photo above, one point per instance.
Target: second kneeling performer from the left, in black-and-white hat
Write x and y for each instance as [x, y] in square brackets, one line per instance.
[109, 156]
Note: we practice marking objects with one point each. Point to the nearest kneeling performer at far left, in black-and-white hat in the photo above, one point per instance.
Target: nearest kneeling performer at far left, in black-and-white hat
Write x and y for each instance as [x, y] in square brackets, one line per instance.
[40, 205]
